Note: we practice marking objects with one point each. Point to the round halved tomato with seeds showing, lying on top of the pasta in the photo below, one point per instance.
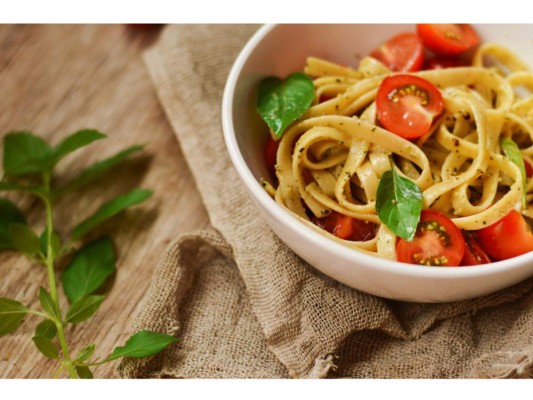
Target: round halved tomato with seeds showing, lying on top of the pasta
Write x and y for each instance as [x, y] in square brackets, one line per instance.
[406, 105]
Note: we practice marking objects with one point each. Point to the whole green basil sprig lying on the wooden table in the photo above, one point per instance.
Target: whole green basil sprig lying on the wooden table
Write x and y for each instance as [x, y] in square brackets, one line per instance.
[28, 158]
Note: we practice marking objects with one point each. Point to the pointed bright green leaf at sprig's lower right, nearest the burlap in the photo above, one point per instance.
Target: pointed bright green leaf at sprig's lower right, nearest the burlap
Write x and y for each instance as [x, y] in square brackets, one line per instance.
[143, 344]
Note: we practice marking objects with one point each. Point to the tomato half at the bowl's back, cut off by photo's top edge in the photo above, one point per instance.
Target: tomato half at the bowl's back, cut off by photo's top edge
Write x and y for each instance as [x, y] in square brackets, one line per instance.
[447, 39]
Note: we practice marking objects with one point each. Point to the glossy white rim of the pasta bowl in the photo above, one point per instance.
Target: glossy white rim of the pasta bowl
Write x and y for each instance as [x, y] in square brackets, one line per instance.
[285, 217]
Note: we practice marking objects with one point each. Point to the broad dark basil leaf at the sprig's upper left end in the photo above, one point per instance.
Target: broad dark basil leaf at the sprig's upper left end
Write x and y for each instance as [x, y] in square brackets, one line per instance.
[26, 154]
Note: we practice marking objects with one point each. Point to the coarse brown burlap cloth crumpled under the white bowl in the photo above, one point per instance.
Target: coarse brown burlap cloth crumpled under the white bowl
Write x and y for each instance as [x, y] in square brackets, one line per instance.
[245, 306]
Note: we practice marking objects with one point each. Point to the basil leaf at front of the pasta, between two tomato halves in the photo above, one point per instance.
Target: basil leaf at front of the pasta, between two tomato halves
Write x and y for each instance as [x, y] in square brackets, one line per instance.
[399, 204]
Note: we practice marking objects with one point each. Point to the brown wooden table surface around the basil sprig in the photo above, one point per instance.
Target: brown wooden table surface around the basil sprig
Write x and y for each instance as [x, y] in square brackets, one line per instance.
[55, 80]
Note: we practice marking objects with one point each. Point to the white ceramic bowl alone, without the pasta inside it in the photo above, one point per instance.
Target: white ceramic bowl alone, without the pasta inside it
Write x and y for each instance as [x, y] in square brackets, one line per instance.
[281, 49]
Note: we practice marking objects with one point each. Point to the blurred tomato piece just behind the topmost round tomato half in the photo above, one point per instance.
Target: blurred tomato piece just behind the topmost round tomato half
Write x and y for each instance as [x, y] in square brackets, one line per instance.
[403, 53]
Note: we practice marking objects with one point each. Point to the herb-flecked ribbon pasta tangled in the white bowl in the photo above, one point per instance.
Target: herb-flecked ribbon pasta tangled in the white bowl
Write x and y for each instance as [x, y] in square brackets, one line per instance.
[333, 157]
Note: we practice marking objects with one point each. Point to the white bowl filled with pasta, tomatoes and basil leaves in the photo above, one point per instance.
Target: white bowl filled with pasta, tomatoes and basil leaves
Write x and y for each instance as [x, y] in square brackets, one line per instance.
[385, 171]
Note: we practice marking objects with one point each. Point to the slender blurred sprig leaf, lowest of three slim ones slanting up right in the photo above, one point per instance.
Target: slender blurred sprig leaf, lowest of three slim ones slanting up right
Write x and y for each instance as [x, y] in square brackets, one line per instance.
[110, 209]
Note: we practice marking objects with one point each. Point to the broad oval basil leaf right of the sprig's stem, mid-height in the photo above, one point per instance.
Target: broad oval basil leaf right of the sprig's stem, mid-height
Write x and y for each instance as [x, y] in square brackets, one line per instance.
[89, 269]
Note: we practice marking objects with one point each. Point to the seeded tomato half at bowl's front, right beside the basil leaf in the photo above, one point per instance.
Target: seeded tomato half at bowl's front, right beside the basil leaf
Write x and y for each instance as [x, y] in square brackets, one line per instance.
[437, 242]
